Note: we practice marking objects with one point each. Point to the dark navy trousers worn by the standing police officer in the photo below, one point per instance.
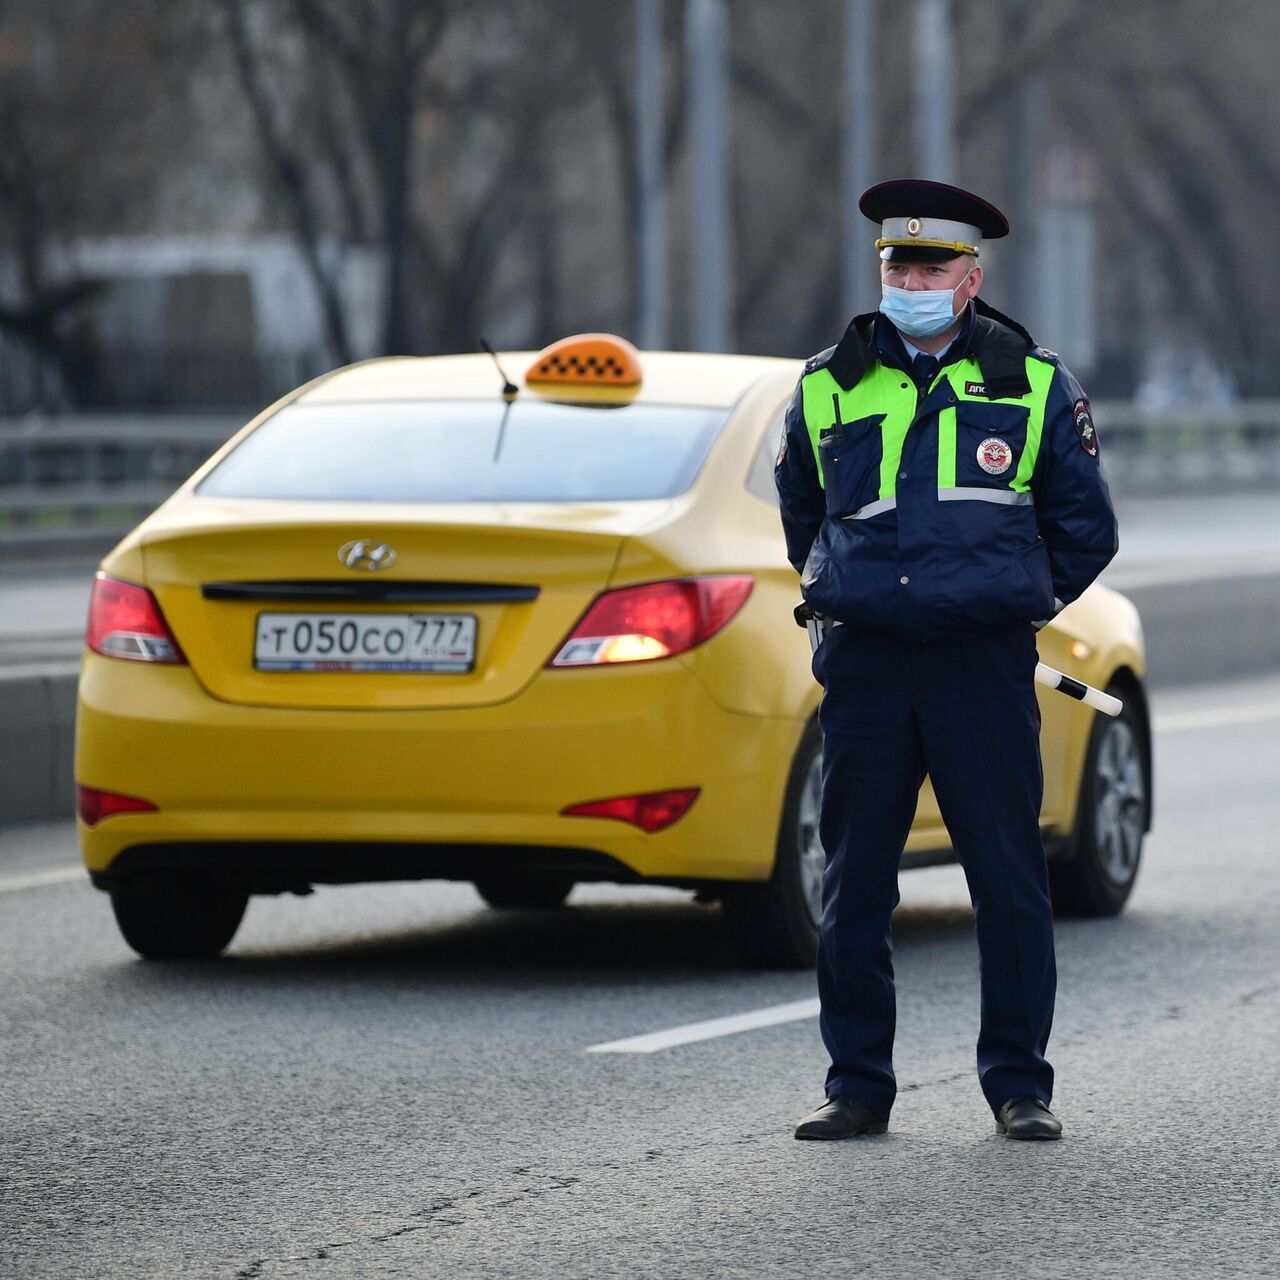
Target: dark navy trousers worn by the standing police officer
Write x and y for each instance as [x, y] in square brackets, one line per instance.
[964, 712]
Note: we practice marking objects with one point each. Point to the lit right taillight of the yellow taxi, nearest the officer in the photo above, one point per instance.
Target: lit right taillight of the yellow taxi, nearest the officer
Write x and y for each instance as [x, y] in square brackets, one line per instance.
[659, 620]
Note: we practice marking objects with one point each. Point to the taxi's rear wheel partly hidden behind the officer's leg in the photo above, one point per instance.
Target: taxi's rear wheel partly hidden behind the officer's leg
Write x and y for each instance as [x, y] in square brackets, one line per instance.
[775, 925]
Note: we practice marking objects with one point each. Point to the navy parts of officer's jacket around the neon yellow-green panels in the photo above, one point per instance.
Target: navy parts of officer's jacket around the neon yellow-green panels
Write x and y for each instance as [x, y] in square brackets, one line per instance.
[927, 568]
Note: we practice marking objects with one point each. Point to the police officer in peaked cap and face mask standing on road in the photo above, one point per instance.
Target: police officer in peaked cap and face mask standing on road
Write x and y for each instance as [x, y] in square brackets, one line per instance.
[941, 500]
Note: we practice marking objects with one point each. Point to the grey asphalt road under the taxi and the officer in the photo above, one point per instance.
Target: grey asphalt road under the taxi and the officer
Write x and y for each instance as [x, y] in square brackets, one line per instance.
[395, 1081]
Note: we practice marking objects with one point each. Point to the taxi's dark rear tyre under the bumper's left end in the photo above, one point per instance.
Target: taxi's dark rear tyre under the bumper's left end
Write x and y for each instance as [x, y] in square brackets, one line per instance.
[180, 922]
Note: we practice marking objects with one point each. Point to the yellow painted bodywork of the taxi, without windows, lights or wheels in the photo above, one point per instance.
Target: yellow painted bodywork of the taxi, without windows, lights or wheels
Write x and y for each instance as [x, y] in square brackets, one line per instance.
[349, 776]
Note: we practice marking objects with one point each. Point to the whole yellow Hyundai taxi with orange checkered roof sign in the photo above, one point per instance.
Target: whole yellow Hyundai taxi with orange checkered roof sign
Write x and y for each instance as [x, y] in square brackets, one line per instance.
[415, 621]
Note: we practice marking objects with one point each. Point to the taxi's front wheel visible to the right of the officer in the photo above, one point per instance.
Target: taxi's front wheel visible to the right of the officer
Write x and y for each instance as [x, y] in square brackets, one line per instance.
[1112, 819]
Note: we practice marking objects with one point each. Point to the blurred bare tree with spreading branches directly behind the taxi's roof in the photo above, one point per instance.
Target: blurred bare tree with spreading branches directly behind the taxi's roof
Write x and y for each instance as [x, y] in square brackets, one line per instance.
[417, 126]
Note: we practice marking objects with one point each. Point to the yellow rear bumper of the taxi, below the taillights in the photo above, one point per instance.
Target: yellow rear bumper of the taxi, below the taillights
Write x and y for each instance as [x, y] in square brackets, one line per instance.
[287, 796]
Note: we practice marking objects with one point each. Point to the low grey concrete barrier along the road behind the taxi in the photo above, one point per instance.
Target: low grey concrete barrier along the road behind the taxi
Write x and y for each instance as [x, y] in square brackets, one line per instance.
[1197, 630]
